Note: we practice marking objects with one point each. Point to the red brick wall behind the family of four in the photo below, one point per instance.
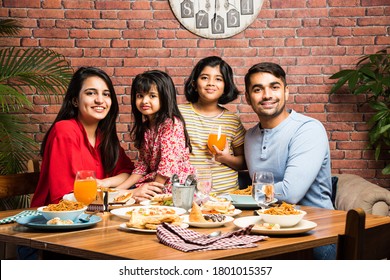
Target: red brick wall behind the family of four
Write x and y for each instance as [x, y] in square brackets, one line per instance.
[311, 39]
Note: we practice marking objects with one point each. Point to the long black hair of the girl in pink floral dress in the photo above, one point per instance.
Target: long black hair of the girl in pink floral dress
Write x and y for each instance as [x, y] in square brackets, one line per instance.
[166, 89]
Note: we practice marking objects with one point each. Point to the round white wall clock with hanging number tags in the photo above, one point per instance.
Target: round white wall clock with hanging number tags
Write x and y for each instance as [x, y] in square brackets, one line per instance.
[216, 19]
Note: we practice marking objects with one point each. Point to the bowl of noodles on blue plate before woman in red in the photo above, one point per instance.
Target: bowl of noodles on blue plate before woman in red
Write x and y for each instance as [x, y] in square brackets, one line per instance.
[65, 210]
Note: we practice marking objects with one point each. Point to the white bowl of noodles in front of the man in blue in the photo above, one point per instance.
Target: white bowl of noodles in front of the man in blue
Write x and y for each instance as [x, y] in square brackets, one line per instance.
[285, 215]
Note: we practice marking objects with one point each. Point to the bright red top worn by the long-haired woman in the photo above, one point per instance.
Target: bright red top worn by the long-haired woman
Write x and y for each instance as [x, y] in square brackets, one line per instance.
[67, 151]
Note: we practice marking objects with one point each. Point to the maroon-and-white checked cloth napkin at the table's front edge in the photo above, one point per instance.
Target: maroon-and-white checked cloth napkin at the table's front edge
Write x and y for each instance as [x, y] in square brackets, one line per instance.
[188, 240]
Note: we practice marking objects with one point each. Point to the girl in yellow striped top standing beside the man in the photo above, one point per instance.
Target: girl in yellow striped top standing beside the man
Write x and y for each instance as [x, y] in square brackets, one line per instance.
[208, 87]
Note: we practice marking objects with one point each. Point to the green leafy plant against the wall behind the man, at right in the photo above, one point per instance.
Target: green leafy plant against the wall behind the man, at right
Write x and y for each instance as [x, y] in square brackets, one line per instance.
[372, 78]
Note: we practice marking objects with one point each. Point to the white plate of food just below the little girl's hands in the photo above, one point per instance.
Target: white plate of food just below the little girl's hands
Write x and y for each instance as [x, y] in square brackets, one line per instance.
[126, 212]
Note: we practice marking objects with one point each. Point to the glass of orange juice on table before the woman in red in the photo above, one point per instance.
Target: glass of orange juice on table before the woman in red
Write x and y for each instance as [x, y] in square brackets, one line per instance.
[85, 186]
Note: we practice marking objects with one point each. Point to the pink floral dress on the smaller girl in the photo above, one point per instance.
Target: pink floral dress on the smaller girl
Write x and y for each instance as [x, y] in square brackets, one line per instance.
[164, 152]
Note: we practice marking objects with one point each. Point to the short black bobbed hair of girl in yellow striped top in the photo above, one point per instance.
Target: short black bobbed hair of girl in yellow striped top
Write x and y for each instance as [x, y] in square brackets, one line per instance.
[230, 93]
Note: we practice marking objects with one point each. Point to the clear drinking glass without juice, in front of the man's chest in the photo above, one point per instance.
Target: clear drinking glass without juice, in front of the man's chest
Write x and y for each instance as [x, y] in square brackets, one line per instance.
[263, 188]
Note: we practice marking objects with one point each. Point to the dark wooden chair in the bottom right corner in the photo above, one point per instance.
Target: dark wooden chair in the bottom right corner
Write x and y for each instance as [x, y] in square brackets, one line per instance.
[359, 243]
